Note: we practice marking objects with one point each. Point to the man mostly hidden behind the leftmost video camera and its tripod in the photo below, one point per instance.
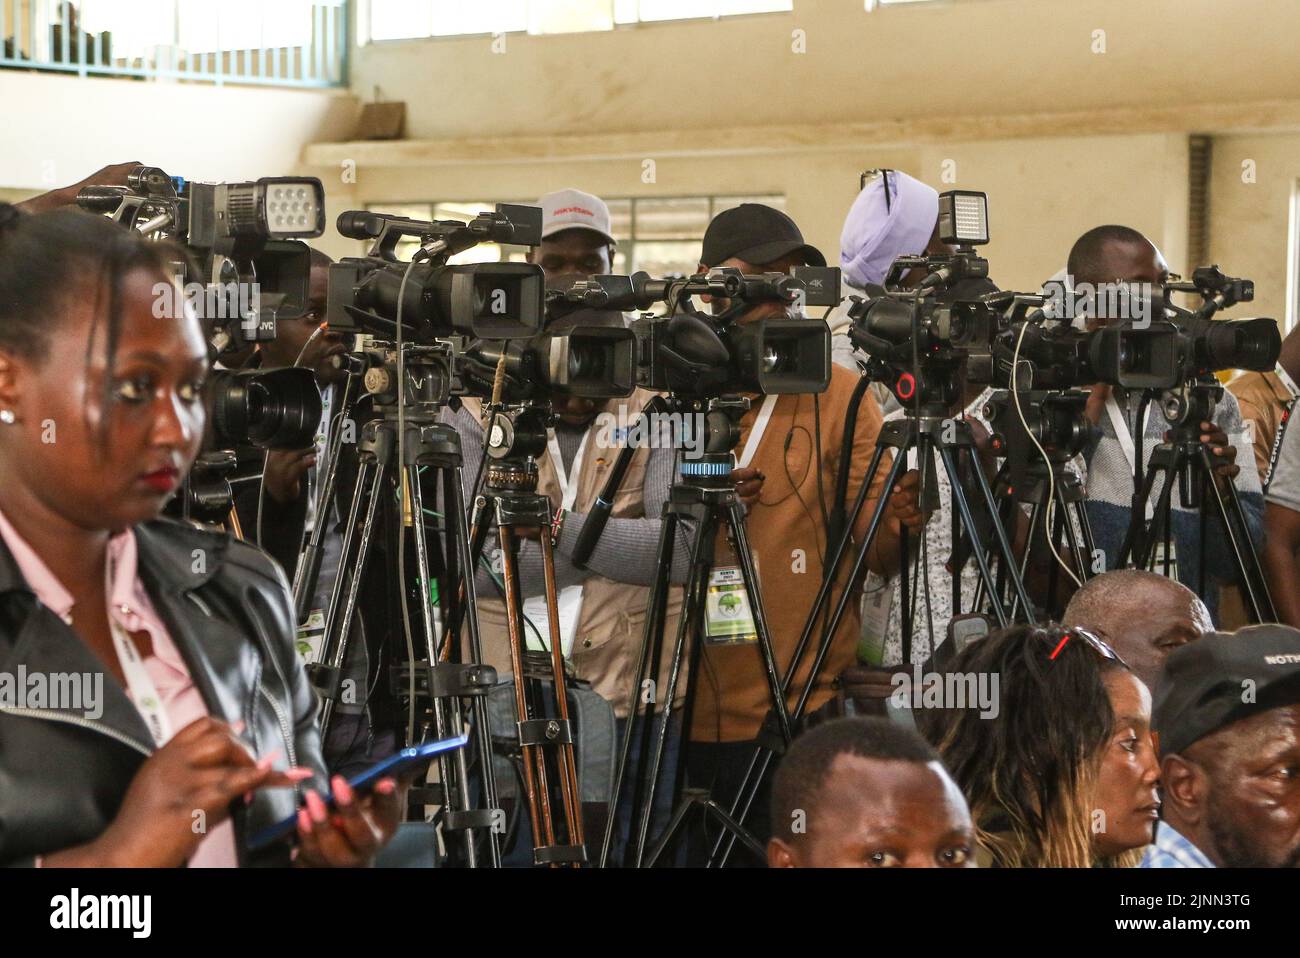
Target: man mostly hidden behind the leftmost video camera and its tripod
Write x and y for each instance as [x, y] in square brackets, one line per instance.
[280, 511]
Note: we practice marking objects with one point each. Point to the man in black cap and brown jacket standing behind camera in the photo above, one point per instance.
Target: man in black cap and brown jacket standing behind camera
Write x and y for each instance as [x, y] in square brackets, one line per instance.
[790, 456]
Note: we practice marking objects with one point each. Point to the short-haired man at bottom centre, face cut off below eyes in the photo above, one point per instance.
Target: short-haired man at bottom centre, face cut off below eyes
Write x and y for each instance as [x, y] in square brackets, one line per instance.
[866, 794]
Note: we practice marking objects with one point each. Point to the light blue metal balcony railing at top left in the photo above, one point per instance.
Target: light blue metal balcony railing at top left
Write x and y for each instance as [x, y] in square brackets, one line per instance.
[288, 44]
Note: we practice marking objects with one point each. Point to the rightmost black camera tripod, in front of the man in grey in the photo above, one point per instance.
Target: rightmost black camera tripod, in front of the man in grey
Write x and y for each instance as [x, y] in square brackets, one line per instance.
[1185, 461]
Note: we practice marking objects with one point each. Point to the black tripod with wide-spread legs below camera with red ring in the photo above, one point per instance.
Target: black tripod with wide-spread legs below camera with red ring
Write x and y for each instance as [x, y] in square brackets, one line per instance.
[929, 428]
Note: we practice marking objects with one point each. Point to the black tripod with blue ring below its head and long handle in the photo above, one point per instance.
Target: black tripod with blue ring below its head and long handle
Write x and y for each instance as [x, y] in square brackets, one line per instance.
[703, 492]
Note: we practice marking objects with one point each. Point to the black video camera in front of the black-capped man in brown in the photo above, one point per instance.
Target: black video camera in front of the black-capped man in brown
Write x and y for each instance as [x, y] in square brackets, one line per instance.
[688, 353]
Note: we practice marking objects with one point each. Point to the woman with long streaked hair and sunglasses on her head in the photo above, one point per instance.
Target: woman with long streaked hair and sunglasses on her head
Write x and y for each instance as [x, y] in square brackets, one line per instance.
[1065, 775]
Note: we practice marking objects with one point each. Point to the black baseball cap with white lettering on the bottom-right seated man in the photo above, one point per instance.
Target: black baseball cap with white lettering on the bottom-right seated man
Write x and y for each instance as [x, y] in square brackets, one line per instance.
[1224, 678]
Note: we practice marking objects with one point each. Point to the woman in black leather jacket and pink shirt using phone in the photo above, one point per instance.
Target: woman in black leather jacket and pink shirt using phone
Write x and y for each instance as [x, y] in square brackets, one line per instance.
[193, 726]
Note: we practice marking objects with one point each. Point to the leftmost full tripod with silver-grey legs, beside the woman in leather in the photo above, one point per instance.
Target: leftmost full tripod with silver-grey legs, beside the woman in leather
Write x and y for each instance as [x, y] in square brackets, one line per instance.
[449, 684]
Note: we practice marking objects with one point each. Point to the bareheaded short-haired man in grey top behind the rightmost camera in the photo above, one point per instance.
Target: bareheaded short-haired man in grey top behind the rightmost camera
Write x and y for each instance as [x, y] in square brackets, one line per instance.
[1103, 258]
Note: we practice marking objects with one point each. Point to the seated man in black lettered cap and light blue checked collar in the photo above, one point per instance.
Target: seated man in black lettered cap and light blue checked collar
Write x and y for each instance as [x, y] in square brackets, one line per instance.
[1228, 714]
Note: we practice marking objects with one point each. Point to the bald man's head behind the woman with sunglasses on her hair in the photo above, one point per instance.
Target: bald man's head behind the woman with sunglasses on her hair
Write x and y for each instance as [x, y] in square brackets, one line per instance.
[1143, 615]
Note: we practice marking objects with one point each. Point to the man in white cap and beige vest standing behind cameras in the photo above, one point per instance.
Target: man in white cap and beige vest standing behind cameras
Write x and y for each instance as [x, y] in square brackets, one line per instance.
[606, 601]
